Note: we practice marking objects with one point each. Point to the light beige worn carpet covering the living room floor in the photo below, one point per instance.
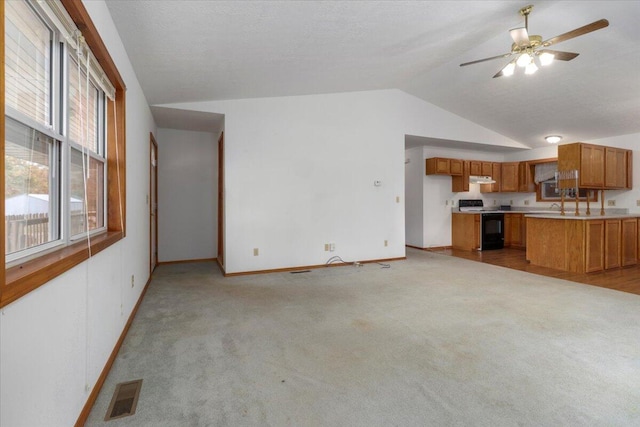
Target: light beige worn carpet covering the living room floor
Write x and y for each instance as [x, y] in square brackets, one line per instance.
[432, 341]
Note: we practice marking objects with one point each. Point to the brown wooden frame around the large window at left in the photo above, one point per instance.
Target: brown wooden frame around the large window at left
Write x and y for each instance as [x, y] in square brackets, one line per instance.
[22, 278]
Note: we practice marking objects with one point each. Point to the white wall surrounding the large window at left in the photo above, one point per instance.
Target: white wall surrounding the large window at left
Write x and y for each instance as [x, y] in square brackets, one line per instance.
[55, 341]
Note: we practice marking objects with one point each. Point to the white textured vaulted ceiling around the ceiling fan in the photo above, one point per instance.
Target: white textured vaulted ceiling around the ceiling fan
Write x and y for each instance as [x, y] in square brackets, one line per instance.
[209, 50]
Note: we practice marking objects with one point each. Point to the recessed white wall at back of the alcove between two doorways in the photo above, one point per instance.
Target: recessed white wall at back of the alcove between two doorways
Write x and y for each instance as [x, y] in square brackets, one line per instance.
[187, 195]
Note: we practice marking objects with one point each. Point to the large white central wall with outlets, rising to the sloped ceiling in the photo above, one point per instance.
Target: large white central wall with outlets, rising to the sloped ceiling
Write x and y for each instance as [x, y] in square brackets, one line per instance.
[300, 173]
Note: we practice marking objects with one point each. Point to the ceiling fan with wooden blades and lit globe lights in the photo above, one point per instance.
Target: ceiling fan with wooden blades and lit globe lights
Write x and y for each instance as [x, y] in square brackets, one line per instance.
[529, 49]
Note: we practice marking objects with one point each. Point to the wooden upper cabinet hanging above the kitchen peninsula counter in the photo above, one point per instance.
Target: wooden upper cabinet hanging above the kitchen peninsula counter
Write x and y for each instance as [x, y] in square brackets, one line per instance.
[598, 167]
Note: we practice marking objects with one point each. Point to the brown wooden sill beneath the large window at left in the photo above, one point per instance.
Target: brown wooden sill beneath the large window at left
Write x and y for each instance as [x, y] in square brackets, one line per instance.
[24, 278]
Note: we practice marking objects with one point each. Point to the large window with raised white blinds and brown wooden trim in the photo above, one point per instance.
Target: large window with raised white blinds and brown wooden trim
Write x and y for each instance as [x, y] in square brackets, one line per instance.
[64, 151]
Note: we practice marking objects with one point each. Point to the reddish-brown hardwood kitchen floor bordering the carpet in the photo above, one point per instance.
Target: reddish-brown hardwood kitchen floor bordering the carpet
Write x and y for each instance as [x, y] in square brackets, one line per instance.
[622, 279]
